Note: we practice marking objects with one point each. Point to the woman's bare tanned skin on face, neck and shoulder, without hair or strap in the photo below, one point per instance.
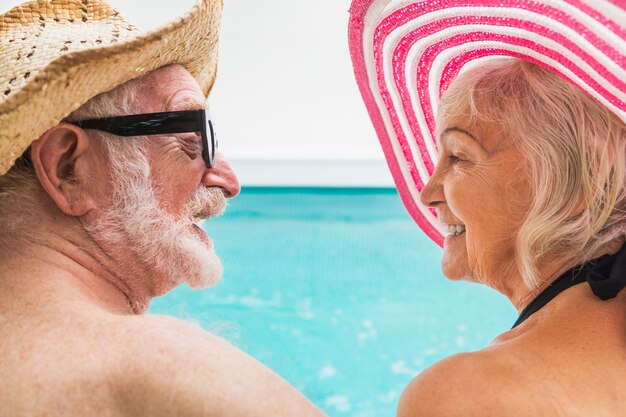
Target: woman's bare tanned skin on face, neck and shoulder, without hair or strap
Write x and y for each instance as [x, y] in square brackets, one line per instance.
[569, 358]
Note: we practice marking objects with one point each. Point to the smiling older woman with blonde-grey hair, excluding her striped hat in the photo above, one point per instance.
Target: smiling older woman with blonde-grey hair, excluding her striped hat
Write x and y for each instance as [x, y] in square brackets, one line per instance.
[531, 184]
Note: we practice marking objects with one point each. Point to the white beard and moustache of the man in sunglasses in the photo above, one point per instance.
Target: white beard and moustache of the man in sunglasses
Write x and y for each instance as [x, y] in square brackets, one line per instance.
[169, 247]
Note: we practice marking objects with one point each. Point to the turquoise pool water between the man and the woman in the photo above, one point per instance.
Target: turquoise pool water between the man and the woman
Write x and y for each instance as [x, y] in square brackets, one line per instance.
[339, 292]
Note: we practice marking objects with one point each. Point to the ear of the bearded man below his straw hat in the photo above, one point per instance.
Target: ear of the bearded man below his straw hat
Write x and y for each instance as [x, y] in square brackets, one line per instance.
[55, 155]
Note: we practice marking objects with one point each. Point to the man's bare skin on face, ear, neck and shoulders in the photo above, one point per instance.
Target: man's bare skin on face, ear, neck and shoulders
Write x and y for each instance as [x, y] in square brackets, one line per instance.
[73, 337]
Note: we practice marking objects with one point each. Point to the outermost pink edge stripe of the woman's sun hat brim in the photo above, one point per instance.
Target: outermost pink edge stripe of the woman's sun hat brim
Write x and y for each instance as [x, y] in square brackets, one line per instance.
[357, 13]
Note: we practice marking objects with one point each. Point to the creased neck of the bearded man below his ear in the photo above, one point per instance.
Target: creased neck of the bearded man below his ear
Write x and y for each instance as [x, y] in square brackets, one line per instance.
[70, 262]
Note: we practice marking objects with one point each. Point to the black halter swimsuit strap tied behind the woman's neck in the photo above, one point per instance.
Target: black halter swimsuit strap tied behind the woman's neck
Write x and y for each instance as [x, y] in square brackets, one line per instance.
[606, 277]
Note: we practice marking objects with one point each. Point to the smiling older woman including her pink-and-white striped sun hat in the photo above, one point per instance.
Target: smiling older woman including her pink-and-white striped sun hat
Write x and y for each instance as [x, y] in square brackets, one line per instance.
[529, 189]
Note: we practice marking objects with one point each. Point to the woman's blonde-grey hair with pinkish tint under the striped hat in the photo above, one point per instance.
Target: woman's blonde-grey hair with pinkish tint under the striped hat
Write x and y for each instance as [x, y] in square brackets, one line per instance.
[576, 155]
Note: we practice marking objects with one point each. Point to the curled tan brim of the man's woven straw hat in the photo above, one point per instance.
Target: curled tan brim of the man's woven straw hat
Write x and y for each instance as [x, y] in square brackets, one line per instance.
[64, 83]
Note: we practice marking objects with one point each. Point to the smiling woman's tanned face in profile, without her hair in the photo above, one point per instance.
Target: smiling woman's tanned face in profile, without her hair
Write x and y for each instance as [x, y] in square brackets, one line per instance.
[479, 182]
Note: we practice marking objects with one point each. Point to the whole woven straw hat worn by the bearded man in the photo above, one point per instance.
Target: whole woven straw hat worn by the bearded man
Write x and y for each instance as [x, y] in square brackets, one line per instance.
[56, 55]
